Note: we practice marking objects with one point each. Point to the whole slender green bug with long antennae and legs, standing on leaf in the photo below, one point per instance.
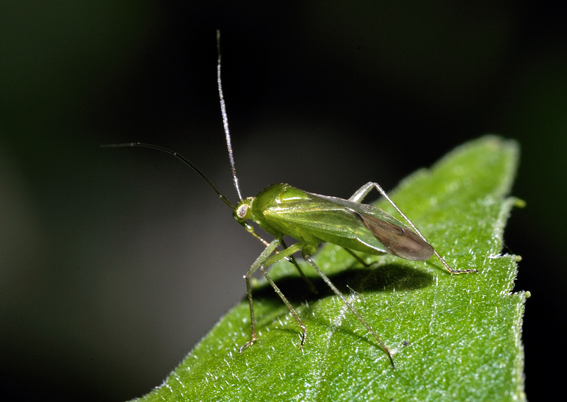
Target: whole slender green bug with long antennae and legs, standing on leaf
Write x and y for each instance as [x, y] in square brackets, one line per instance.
[281, 210]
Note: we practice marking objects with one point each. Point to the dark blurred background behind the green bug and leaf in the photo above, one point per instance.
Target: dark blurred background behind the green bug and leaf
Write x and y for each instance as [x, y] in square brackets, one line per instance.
[115, 262]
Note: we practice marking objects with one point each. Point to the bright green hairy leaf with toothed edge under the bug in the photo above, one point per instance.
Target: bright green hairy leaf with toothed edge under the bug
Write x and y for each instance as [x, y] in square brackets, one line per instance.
[454, 337]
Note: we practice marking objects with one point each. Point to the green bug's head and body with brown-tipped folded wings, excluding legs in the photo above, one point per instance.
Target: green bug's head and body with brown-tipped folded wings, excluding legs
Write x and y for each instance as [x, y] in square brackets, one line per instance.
[312, 219]
